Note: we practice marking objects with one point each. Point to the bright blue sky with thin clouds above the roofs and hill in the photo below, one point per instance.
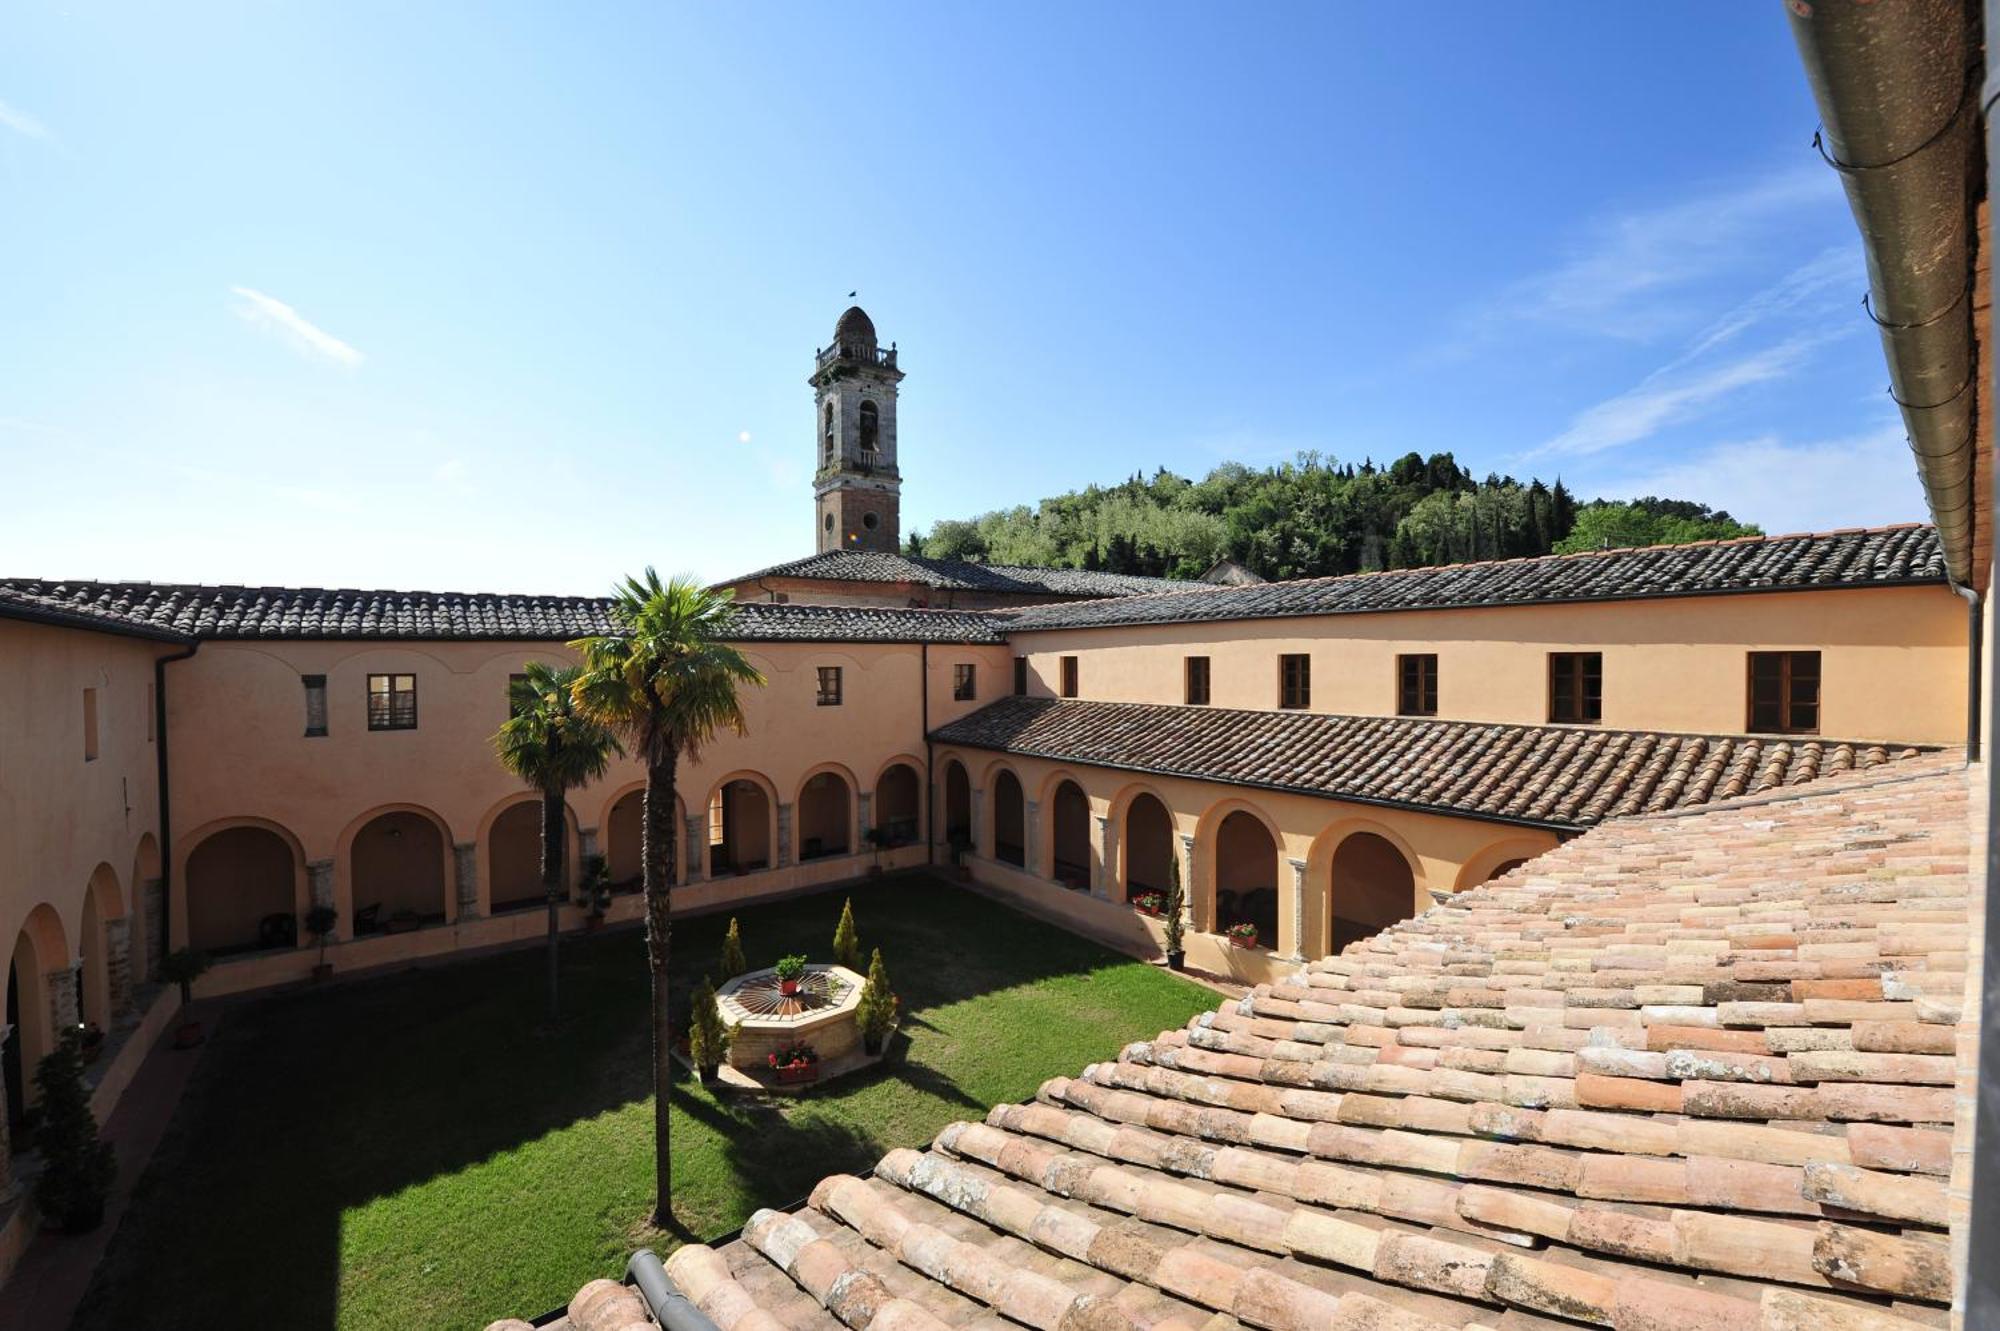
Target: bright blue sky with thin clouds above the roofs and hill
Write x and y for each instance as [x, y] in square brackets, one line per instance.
[523, 297]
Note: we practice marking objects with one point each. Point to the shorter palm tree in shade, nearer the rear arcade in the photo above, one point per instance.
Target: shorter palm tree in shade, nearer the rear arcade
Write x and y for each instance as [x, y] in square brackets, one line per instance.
[555, 748]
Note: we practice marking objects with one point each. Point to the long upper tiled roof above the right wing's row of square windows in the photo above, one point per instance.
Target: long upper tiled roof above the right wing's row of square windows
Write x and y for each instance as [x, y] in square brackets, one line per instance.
[1885, 557]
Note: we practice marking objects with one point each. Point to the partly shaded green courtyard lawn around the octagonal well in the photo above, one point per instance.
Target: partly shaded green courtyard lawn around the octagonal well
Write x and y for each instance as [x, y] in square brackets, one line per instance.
[423, 1152]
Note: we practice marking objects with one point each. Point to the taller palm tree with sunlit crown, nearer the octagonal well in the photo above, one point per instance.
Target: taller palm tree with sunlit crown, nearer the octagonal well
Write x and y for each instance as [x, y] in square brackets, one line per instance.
[667, 682]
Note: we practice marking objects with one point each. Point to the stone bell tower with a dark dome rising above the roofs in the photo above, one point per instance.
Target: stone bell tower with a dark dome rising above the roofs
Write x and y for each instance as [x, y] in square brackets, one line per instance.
[857, 489]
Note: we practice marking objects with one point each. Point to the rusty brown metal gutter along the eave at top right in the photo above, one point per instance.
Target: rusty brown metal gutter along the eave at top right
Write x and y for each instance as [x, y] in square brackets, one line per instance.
[1899, 105]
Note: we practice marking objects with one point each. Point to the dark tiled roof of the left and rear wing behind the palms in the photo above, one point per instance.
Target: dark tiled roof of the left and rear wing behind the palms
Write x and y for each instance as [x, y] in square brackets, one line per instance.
[443, 617]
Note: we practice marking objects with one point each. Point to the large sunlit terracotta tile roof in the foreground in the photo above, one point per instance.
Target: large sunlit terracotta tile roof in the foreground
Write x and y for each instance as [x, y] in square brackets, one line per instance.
[1687, 1072]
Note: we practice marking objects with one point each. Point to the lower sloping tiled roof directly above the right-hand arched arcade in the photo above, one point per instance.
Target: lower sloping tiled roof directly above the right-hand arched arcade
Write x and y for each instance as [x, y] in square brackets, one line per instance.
[1555, 776]
